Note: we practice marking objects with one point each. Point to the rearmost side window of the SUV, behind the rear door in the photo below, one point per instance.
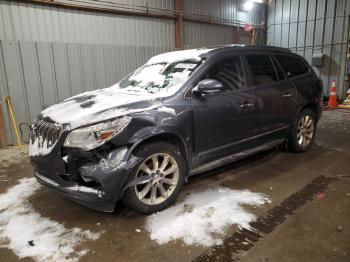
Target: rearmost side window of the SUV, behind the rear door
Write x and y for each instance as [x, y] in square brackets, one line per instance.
[293, 66]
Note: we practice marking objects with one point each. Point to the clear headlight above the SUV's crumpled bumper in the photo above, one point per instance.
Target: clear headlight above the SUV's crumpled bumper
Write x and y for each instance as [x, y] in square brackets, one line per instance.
[90, 137]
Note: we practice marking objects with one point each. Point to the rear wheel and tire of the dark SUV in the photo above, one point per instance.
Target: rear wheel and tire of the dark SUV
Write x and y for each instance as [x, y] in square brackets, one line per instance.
[303, 131]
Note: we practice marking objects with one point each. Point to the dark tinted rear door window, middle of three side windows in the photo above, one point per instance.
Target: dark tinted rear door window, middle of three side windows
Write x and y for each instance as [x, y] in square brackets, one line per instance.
[262, 69]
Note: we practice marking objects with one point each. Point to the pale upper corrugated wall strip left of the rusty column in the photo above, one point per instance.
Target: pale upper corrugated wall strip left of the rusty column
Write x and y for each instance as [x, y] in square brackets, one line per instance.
[28, 22]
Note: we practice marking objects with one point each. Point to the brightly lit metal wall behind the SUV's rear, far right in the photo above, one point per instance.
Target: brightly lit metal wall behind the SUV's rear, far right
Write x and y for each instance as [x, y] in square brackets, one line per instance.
[313, 26]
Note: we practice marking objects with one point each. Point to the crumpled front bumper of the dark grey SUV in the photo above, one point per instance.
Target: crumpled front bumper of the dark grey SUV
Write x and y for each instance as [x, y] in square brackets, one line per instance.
[112, 173]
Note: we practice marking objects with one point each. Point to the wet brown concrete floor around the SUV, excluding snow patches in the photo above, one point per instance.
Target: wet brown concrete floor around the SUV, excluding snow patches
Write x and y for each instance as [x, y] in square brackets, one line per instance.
[310, 234]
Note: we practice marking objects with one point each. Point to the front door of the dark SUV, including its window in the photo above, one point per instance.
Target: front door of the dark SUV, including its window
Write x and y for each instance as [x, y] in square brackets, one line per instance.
[223, 120]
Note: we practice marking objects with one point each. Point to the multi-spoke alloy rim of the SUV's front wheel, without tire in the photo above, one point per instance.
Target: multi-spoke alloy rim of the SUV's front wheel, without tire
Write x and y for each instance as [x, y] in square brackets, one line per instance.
[156, 179]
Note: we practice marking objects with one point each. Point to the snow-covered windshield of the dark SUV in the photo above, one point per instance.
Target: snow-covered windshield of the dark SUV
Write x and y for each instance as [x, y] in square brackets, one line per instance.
[159, 78]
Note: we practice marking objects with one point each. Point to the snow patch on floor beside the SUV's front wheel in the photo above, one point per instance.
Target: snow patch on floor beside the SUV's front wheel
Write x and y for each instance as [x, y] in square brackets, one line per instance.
[203, 217]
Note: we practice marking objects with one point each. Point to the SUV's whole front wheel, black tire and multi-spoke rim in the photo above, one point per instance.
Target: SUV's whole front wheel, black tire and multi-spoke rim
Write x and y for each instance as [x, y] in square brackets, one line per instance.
[168, 186]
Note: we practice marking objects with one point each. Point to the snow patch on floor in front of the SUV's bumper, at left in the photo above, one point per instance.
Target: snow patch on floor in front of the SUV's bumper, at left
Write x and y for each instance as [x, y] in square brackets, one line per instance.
[19, 223]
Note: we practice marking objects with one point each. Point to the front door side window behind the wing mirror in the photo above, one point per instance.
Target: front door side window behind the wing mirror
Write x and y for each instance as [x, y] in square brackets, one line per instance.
[229, 72]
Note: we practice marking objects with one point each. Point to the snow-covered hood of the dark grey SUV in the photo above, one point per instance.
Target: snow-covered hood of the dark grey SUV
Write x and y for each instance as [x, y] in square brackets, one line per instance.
[99, 105]
